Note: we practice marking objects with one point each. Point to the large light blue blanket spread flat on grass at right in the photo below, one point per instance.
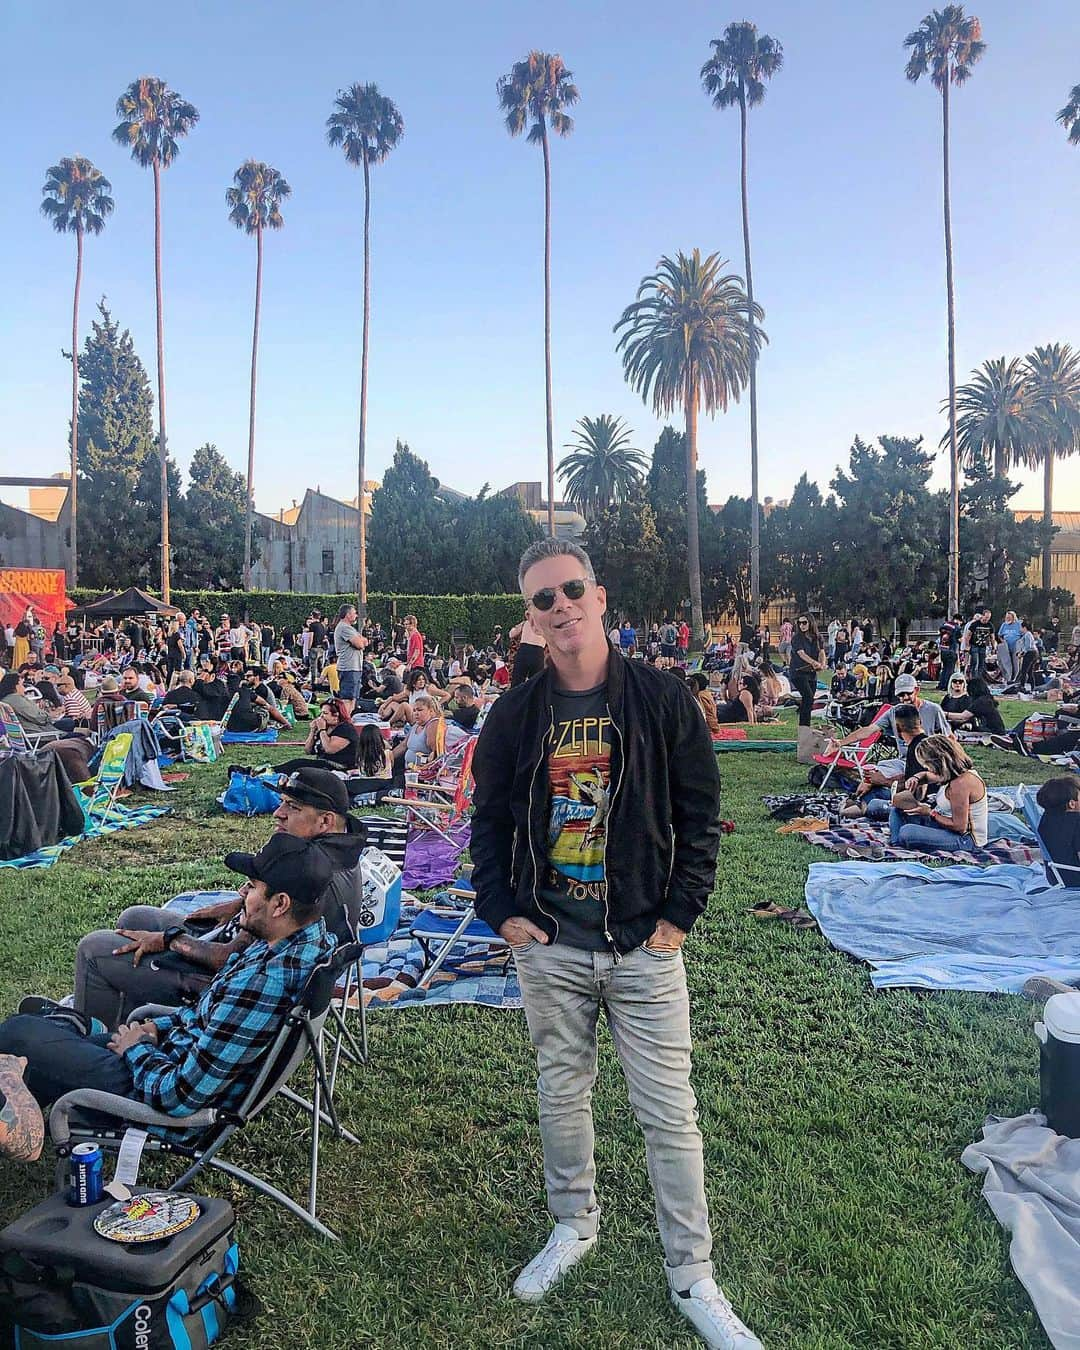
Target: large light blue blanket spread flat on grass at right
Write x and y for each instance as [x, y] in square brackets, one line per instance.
[958, 928]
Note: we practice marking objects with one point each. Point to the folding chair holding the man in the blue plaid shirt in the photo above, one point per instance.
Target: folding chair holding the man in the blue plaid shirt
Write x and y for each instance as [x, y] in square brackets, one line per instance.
[74, 1118]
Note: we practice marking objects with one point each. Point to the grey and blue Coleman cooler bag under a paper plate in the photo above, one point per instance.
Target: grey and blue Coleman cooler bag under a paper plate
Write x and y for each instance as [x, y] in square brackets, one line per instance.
[67, 1287]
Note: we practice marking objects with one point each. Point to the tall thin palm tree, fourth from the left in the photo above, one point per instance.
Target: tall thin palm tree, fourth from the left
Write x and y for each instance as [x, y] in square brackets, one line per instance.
[367, 126]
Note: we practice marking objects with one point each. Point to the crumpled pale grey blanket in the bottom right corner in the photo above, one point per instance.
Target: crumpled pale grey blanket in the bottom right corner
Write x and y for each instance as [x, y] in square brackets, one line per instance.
[1033, 1187]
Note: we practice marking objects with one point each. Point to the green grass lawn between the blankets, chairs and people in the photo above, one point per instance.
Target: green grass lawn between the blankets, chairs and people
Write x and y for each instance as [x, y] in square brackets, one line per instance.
[834, 1123]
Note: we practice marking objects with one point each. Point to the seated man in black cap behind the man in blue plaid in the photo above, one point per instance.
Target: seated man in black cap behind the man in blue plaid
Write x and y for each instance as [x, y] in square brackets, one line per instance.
[161, 958]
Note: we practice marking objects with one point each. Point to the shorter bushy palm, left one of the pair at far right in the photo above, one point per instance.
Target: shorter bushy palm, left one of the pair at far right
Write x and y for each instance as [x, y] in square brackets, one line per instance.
[996, 416]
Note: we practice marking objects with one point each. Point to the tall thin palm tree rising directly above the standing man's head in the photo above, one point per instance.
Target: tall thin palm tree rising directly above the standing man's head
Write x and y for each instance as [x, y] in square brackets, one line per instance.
[537, 94]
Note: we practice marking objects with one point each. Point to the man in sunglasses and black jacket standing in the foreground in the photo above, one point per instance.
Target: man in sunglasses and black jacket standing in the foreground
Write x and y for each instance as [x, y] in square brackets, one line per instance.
[588, 754]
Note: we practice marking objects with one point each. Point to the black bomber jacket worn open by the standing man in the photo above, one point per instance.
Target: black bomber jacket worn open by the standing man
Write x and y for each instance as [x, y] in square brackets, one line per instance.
[664, 824]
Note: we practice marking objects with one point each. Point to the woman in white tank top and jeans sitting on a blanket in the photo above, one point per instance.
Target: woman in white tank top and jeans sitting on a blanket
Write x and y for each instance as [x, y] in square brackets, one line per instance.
[959, 819]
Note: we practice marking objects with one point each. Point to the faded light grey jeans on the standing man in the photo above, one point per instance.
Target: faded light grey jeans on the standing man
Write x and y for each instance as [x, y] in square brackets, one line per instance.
[649, 1012]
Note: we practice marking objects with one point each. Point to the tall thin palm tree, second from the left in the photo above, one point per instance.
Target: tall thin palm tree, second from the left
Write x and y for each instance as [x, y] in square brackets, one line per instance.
[153, 118]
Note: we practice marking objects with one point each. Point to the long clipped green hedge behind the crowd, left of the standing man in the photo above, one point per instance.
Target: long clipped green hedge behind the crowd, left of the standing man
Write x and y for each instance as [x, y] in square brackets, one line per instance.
[437, 615]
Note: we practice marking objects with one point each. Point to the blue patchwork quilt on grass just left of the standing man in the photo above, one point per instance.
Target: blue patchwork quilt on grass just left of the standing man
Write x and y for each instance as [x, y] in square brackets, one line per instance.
[392, 973]
